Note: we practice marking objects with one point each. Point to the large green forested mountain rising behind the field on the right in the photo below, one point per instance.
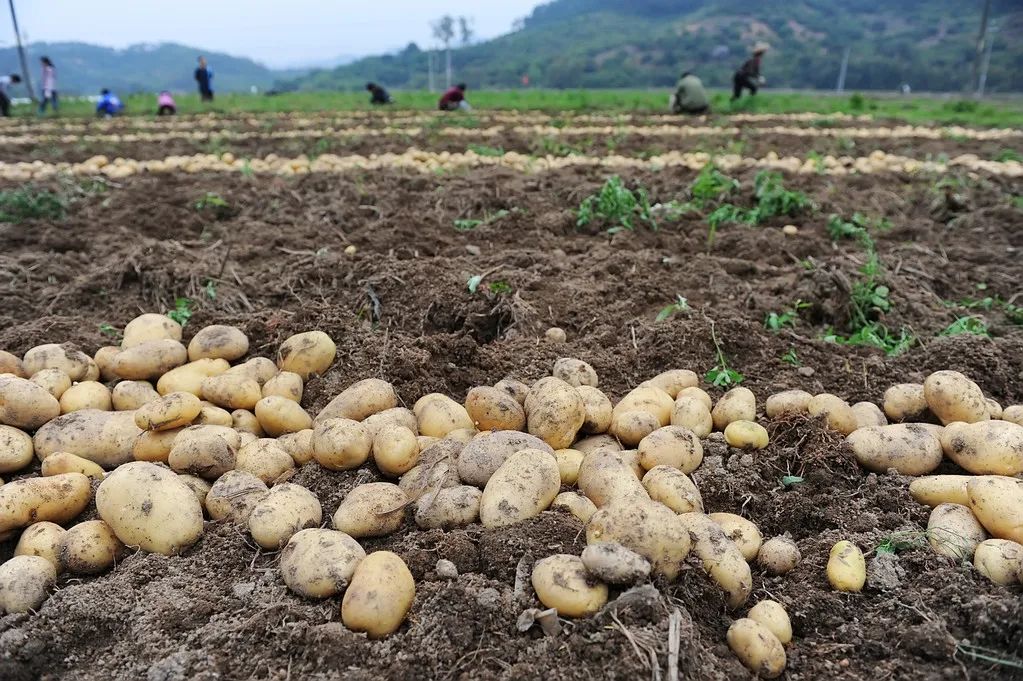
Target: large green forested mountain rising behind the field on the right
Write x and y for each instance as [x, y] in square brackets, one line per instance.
[647, 43]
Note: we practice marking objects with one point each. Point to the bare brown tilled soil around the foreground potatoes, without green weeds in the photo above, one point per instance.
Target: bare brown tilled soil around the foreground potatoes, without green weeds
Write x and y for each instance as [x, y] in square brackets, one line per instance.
[399, 308]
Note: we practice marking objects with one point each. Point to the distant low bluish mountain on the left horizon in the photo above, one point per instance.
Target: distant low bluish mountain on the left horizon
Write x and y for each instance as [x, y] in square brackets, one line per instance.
[85, 69]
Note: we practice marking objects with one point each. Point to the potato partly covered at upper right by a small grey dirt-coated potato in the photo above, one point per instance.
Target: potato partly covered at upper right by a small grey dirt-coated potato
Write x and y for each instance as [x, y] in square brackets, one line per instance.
[563, 583]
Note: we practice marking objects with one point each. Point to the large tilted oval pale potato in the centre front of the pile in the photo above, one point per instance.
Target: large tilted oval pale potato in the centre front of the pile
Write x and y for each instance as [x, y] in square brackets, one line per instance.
[522, 488]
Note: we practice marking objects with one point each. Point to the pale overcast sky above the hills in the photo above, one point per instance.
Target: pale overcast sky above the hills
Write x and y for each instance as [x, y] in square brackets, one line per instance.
[275, 32]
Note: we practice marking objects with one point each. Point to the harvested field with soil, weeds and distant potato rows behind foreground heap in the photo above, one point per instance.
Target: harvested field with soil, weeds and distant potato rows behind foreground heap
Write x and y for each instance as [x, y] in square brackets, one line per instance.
[439, 264]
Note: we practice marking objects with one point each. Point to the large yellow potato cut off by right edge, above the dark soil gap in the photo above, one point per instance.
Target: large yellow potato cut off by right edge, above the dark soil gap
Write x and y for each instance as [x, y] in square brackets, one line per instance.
[986, 448]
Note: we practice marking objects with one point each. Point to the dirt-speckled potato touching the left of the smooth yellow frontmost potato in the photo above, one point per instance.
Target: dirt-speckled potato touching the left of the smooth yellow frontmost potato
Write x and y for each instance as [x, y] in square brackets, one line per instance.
[320, 564]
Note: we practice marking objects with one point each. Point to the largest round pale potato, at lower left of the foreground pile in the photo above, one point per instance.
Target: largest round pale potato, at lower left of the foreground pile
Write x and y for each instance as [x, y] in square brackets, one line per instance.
[149, 507]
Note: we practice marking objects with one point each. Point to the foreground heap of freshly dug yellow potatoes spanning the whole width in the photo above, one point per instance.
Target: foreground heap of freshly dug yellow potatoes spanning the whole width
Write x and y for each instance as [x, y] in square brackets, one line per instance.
[176, 434]
